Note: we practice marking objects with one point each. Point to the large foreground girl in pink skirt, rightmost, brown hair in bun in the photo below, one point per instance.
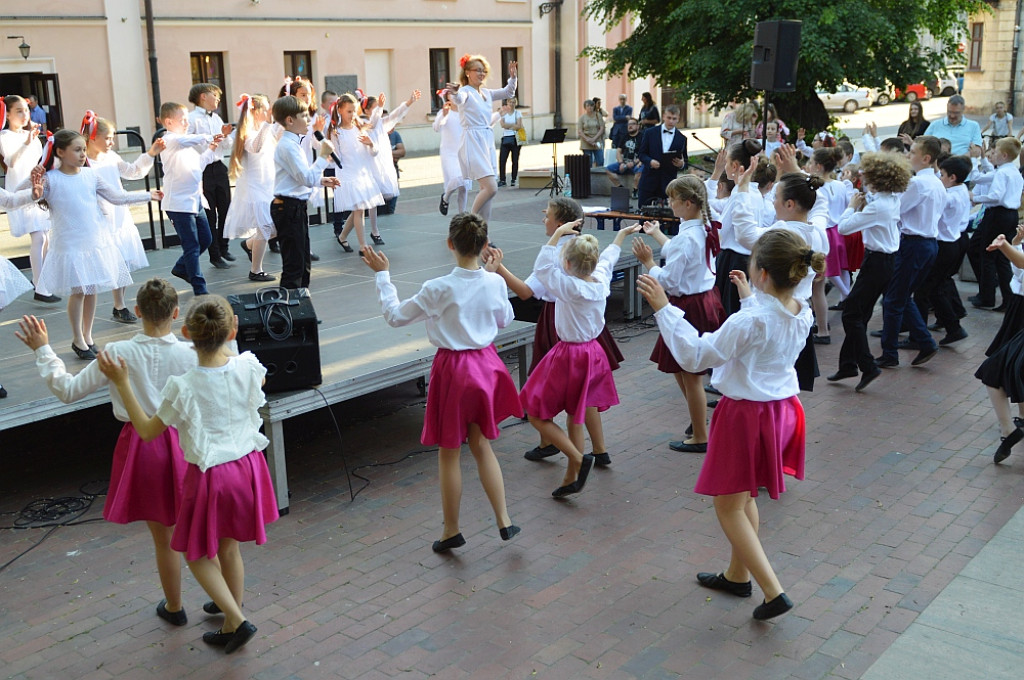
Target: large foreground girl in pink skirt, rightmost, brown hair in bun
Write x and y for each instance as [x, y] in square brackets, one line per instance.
[757, 433]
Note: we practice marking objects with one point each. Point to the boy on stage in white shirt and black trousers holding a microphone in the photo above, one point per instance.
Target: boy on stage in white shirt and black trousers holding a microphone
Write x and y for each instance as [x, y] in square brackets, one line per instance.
[293, 184]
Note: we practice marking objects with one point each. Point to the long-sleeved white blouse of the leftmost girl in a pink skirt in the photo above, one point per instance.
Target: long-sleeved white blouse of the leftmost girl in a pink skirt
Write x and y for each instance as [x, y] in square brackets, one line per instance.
[151, 362]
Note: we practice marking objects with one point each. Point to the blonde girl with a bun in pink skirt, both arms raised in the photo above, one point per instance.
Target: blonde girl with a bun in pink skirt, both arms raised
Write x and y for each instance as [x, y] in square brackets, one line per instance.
[575, 376]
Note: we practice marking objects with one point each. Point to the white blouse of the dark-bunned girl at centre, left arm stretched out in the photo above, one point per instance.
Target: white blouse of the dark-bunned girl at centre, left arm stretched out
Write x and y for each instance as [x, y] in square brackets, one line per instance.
[463, 310]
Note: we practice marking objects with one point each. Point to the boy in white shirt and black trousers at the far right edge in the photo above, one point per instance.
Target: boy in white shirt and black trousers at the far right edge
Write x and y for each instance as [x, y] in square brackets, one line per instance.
[1002, 198]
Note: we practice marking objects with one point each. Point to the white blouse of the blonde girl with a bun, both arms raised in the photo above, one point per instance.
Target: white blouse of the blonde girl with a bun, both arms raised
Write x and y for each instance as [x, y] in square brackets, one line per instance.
[580, 305]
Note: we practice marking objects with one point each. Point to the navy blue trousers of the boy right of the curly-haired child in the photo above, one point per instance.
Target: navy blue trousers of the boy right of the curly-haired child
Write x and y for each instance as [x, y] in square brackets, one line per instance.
[914, 262]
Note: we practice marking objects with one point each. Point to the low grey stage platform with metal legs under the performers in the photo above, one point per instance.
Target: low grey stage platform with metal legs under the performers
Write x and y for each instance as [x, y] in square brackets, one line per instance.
[359, 352]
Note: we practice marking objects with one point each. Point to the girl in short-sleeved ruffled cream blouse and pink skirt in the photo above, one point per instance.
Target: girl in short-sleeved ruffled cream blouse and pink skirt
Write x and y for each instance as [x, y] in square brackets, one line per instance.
[228, 495]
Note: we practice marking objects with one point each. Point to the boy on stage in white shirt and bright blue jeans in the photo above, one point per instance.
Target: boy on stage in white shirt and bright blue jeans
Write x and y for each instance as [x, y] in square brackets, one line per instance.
[184, 159]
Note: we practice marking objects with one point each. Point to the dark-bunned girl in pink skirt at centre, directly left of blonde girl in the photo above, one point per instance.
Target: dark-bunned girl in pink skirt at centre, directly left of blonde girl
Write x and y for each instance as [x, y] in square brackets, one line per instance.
[472, 391]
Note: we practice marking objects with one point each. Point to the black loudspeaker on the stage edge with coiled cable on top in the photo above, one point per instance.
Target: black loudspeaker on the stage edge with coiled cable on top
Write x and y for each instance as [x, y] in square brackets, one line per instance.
[280, 326]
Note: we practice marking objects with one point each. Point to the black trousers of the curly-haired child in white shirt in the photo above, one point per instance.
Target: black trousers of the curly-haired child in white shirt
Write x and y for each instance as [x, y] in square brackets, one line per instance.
[872, 281]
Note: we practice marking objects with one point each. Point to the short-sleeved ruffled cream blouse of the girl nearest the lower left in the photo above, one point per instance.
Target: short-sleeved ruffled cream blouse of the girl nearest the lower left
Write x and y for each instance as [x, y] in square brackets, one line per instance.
[216, 411]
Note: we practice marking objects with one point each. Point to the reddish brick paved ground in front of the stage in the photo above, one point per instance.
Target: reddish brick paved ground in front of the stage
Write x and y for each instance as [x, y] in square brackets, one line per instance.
[901, 494]
